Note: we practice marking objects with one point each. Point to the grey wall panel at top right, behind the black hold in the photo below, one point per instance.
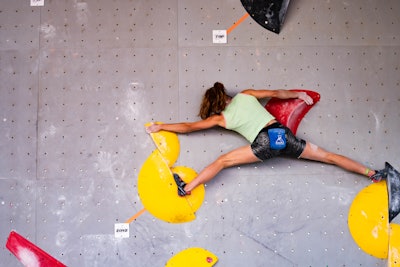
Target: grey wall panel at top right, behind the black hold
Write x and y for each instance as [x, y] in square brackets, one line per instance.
[322, 23]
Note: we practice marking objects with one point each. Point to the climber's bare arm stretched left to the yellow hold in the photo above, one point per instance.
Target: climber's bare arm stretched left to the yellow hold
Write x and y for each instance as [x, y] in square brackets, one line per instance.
[187, 127]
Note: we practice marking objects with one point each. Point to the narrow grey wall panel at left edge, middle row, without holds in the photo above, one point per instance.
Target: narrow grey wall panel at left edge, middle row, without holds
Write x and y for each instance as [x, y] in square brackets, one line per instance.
[18, 111]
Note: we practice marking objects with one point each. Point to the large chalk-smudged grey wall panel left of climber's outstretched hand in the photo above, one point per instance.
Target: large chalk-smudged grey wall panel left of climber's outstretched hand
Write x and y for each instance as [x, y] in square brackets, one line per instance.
[113, 93]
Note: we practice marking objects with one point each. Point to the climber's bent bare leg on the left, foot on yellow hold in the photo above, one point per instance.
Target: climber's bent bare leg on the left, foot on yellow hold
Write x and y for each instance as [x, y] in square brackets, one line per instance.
[238, 156]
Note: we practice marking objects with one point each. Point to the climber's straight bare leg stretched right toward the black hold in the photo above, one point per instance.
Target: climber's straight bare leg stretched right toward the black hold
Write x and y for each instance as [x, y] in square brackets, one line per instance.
[313, 152]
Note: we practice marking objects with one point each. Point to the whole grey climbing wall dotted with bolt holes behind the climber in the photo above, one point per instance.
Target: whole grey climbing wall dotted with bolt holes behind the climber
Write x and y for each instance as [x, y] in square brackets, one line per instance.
[80, 80]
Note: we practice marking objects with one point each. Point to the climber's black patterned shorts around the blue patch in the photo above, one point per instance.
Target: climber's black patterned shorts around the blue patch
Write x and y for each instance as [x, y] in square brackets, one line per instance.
[261, 145]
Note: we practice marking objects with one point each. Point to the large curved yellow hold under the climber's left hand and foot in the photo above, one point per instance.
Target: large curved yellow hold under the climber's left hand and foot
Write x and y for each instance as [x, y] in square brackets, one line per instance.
[157, 188]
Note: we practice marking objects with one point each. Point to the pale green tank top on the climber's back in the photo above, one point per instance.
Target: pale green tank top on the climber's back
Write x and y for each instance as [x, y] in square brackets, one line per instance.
[246, 116]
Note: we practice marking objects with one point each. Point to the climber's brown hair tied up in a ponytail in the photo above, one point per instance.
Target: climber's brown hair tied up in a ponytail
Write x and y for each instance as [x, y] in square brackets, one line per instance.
[214, 101]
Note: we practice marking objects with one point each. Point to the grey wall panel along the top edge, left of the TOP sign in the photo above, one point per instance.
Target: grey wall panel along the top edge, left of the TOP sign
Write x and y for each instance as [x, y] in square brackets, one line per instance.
[114, 24]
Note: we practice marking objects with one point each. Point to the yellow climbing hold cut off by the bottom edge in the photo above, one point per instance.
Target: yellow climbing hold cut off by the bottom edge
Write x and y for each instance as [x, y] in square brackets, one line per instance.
[197, 257]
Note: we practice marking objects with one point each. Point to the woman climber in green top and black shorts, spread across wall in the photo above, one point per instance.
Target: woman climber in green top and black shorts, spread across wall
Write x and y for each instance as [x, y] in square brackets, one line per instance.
[268, 138]
